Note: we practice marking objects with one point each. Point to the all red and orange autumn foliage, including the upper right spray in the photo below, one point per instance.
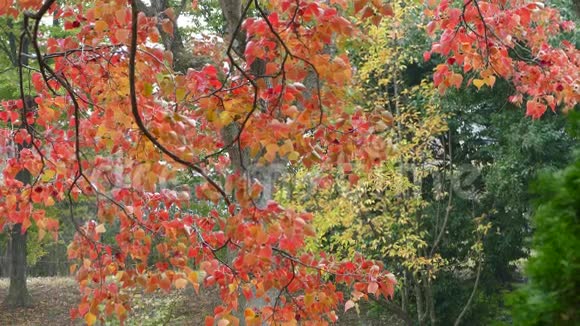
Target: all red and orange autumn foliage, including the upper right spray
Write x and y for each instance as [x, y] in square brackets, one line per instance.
[125, 102]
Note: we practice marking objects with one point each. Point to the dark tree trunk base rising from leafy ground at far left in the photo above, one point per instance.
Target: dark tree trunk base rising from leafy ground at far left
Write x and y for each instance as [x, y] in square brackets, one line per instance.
[18, 295]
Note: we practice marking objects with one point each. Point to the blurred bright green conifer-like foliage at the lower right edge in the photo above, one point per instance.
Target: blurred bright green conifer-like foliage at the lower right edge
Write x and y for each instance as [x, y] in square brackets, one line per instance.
[550, 297]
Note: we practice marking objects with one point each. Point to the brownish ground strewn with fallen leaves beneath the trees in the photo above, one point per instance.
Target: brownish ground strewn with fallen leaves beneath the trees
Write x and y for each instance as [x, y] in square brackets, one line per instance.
[54, 297]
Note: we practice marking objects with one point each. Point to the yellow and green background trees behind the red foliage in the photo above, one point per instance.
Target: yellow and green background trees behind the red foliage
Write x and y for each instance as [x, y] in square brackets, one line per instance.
[475, 210]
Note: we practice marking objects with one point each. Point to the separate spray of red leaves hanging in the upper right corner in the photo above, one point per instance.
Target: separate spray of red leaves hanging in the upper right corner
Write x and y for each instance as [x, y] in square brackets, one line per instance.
[513, 41]
